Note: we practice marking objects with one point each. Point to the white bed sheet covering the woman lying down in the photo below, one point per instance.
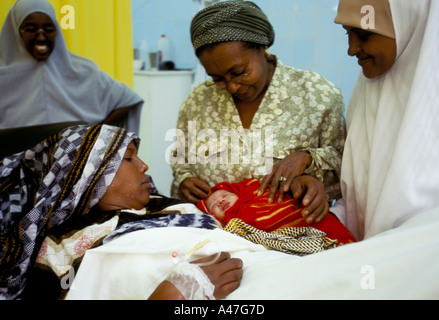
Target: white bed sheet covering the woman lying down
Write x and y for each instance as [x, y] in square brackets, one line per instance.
[402, 263]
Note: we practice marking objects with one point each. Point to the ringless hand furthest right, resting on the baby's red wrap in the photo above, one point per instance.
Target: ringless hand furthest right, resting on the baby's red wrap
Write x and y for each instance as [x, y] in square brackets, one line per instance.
[313, 196]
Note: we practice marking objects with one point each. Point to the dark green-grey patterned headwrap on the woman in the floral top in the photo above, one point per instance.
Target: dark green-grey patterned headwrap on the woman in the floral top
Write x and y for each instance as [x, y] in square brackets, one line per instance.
[231, 21]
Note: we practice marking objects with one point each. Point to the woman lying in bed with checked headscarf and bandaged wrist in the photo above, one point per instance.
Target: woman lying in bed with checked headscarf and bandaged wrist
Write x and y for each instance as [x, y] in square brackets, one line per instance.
[66, 195]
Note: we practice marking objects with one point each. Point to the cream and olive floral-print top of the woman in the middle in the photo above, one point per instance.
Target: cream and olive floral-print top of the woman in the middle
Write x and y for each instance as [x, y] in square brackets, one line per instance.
[301, 111]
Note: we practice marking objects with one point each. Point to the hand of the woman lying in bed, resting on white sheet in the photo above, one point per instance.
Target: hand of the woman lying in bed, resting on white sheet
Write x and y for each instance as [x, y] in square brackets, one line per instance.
[225, 274]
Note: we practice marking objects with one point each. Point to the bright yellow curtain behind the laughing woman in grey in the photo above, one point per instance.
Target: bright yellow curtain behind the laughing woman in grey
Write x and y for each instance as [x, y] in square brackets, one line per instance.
[102, 33]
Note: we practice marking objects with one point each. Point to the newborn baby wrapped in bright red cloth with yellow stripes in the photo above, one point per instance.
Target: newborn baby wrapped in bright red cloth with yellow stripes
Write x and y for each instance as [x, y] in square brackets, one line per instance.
[240, 200]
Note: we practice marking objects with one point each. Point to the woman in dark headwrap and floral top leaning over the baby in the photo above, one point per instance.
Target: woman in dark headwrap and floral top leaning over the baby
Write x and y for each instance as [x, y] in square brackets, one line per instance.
[255, 117]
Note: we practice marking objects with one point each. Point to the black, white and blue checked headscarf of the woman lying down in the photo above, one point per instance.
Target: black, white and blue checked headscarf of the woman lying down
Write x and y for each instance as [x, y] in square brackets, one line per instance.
[65, 175]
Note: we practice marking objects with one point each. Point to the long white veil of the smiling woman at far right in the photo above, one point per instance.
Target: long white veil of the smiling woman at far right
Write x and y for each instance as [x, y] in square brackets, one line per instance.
[390, 169]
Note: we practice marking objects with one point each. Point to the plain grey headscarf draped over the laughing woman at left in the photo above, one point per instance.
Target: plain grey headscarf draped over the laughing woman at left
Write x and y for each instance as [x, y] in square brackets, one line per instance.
[64, 88]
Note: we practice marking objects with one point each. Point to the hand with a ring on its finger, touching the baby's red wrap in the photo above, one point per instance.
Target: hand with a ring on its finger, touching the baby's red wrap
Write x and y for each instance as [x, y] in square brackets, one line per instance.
[287, 169]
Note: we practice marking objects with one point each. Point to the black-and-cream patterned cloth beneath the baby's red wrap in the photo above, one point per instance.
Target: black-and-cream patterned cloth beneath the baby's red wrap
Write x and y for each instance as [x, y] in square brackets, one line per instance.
[293, 240]
